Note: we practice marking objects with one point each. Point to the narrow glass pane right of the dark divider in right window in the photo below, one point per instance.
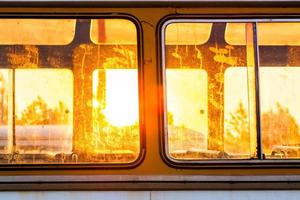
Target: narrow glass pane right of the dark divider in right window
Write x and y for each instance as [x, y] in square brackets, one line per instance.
[279, 76]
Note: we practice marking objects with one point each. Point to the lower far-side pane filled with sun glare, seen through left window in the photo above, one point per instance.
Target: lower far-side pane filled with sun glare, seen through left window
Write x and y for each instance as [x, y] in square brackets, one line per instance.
[115, 114]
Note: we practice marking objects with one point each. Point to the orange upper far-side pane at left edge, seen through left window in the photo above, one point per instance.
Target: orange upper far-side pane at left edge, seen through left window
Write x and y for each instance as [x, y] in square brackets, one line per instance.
[37, 31]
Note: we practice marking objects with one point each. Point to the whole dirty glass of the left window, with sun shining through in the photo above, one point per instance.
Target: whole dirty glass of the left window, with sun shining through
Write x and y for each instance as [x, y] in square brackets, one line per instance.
[68, 94]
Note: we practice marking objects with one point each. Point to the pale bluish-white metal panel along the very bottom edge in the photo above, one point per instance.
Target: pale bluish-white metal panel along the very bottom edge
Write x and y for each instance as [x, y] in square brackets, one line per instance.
[154, 195]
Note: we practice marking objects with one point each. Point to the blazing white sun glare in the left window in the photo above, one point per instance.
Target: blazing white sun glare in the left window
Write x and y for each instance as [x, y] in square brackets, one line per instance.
[121, 95]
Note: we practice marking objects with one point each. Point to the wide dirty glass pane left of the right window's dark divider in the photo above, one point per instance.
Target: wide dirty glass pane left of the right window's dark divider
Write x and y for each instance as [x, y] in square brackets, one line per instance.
[205, 117]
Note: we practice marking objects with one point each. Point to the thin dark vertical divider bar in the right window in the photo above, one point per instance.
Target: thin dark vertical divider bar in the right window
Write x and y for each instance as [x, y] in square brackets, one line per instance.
[259, 151]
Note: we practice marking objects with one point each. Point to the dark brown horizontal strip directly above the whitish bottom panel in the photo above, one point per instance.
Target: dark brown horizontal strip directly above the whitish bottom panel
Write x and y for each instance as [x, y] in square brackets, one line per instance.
[146, 186]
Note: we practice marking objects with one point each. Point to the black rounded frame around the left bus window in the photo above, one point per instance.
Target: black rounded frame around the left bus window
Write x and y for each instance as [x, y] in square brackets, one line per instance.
[140, 70]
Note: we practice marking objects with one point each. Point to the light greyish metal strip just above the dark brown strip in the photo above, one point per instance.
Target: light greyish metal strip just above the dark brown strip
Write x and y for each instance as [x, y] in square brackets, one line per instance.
[147, 178]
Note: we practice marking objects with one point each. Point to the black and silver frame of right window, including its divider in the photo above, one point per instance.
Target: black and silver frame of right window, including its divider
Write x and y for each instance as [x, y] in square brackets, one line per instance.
[260, 161]
